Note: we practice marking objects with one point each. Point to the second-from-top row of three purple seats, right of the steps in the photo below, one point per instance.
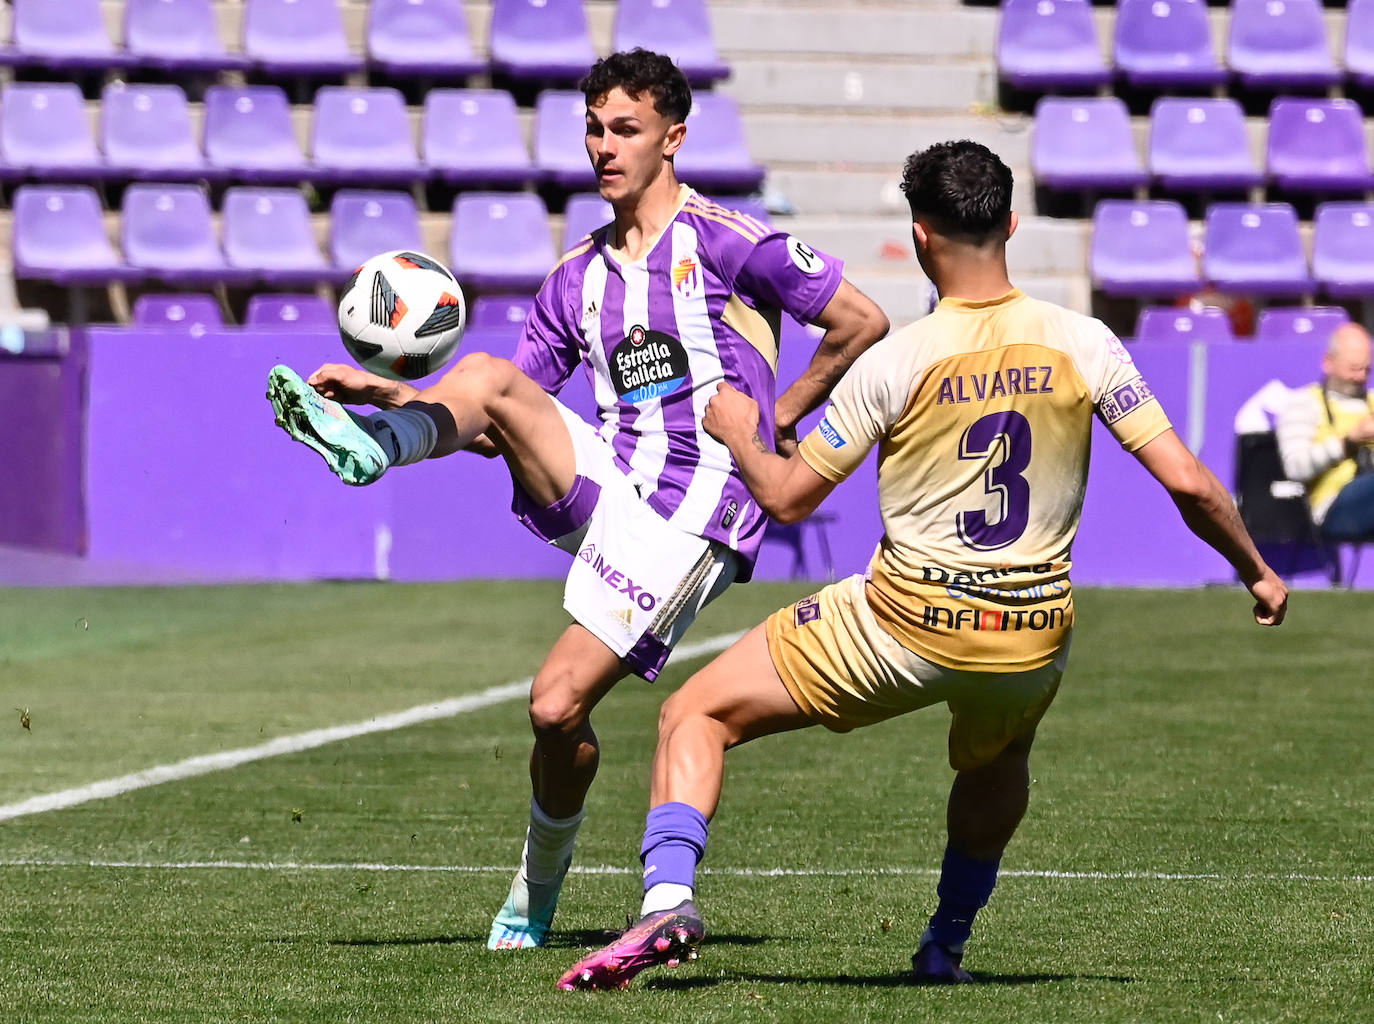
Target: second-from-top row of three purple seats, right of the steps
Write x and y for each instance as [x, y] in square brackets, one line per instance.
[1200, 145]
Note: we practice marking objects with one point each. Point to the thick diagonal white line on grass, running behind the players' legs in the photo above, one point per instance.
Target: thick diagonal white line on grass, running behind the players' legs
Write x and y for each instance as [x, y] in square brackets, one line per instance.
[204, 765]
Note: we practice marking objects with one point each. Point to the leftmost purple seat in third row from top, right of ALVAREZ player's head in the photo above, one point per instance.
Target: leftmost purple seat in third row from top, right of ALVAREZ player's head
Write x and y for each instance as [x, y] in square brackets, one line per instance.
[1142, 249]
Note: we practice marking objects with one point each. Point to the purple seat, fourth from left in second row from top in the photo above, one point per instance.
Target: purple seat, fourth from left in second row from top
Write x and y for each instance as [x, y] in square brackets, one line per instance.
[365, 135]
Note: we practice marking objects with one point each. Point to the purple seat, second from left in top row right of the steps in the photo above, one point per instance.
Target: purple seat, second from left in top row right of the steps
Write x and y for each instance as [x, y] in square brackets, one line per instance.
[1163, 43]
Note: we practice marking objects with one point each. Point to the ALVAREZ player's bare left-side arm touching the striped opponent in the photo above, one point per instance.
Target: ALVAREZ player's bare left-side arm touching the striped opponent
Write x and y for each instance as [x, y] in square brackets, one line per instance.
[784, 486]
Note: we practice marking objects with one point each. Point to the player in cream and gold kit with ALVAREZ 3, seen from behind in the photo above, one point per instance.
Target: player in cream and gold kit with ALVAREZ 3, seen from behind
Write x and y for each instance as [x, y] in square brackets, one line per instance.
[982, 414]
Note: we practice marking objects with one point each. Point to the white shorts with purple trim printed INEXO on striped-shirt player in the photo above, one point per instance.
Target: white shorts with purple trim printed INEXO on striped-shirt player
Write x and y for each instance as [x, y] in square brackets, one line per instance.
[637, 581]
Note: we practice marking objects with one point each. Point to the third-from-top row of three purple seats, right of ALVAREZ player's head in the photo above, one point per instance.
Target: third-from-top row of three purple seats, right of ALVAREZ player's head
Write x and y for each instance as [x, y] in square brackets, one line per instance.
[1145, 249]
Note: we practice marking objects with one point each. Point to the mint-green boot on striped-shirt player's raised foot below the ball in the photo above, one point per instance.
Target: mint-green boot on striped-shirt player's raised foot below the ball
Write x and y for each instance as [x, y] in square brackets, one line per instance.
[326, 427]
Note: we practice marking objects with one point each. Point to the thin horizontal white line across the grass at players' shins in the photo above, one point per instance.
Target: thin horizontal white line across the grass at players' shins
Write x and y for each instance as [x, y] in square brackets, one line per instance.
[729, 872]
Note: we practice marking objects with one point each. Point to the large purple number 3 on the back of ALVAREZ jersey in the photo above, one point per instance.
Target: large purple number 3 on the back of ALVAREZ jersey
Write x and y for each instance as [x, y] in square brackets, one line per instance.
[1012, 432]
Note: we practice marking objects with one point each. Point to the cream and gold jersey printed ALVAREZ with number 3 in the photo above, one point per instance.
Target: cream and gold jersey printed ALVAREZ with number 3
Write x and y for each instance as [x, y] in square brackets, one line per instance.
[983, 417]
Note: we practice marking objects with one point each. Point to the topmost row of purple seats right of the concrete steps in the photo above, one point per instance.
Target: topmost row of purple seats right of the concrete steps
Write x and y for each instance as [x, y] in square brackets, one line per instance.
[1272, 45]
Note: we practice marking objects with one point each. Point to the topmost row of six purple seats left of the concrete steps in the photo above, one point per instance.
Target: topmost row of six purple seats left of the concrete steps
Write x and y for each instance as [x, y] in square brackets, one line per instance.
[531, 41]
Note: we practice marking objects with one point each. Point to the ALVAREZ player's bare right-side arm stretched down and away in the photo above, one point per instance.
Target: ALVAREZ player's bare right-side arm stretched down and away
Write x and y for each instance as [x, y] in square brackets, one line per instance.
[1208, 511]
